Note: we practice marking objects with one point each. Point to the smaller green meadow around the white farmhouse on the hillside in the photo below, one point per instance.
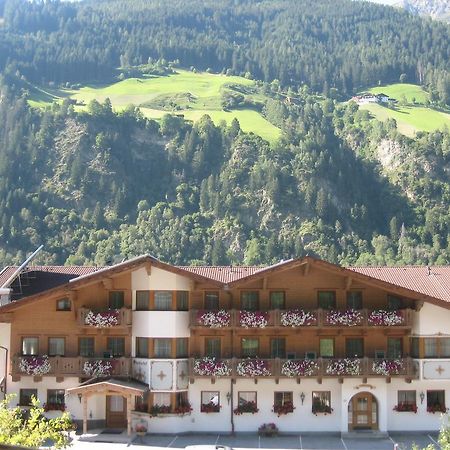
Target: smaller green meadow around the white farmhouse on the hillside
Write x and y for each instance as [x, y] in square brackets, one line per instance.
[410, 118]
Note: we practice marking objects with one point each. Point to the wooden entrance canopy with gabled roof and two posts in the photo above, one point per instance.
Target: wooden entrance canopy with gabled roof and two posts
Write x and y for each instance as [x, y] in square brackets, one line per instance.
[109, 386]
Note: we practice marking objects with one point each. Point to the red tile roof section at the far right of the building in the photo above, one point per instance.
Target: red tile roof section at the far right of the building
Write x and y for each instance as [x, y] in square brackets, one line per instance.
[434, 283]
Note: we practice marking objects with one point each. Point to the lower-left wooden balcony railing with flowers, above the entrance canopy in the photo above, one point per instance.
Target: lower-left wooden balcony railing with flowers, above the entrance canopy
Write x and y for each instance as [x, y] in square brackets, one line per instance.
[61, 367]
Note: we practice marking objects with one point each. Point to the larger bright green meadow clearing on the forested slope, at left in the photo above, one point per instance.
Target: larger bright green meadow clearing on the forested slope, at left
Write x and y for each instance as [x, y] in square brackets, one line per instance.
[187, 93]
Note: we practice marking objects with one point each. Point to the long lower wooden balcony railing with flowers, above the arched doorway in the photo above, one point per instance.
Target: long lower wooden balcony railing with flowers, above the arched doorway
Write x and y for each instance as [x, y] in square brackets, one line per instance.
[300, 368]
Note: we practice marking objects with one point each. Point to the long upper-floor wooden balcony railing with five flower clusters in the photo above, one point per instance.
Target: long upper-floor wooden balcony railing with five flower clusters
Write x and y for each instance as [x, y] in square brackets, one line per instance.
[295, 318]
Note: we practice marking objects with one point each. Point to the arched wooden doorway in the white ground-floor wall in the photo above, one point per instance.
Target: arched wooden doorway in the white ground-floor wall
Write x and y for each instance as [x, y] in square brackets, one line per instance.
[363, 412]
